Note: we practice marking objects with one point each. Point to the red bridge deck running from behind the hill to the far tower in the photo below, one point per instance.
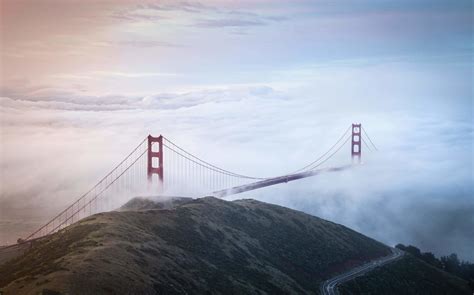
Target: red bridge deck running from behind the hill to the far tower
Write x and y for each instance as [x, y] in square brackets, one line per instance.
[276, 180]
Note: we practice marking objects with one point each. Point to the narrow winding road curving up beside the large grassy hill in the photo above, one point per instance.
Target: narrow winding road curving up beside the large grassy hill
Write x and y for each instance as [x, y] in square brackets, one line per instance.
[329, 287]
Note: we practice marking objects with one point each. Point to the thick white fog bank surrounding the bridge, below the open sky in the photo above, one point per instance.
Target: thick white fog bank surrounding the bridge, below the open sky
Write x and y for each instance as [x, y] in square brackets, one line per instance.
[416, 190]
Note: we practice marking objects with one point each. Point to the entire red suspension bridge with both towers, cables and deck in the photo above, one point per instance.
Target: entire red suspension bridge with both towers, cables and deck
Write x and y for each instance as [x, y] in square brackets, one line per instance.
[158, 165]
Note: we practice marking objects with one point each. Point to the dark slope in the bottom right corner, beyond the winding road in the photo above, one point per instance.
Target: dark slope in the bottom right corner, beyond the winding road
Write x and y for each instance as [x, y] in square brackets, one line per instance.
[408, 275]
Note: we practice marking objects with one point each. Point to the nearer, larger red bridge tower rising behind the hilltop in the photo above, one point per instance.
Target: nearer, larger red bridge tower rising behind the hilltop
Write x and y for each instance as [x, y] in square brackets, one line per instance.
[155, 159]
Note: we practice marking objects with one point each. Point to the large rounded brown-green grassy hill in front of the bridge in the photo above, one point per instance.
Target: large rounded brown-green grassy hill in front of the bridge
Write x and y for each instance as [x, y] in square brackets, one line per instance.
[196, 246]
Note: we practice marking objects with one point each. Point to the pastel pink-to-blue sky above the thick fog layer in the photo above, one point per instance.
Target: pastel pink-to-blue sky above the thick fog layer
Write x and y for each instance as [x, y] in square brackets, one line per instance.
[98, 48]
